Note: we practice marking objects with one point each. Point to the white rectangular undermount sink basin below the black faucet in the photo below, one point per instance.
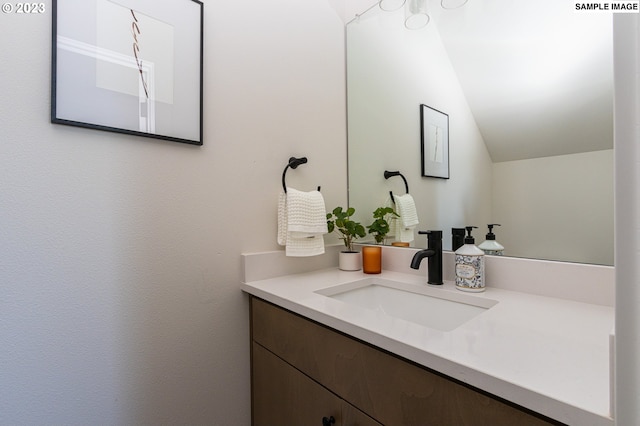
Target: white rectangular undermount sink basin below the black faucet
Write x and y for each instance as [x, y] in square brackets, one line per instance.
[428, 306]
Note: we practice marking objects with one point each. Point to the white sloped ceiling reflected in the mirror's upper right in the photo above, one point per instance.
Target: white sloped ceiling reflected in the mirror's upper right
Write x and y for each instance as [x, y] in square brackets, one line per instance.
[537, 75]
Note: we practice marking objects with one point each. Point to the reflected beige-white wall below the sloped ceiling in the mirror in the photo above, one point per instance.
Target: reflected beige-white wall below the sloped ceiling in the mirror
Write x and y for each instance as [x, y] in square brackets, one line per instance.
[526, 194]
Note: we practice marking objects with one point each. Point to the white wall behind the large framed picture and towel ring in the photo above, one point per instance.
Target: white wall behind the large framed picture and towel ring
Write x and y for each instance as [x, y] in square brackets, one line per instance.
[120, 255]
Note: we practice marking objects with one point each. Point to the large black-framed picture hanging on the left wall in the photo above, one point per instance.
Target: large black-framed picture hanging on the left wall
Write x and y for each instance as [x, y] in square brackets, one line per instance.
[129, 66]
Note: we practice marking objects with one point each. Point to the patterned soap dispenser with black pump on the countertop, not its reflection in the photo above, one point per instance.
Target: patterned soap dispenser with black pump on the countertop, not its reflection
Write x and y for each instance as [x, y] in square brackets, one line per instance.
[470, 265]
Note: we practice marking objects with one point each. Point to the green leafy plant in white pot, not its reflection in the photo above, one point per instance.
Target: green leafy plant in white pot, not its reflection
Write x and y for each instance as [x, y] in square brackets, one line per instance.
[340, 220]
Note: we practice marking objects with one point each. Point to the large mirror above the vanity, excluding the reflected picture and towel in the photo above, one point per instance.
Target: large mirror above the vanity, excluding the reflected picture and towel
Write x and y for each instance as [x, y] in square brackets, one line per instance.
[528, 91]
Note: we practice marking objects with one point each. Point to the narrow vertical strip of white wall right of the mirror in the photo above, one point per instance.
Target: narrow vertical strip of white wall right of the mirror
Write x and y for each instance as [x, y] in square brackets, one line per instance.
[627, 218]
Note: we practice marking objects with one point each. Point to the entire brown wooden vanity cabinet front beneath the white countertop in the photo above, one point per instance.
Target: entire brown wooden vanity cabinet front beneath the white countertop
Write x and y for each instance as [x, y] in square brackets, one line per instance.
[304, 372]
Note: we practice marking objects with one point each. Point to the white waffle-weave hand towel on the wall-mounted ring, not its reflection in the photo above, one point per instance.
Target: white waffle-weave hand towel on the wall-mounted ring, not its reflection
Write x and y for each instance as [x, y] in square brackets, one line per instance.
[301, 222]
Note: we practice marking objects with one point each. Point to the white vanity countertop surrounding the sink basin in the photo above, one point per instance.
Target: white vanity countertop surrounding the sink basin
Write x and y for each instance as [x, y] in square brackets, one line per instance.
[546, 354]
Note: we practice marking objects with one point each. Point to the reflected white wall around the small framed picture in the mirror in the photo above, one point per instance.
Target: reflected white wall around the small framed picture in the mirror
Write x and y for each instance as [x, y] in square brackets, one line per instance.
[391, 71]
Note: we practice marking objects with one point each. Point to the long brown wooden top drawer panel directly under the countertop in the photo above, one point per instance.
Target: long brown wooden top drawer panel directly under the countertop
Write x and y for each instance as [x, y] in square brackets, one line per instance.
[388, 388]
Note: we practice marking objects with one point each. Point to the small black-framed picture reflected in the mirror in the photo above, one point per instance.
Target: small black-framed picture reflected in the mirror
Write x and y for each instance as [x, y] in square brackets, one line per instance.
[434, 131]
